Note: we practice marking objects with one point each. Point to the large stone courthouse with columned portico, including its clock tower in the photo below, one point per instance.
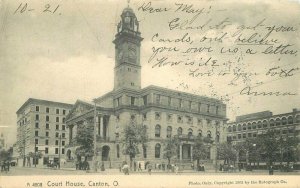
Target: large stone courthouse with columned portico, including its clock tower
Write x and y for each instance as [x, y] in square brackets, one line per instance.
[164, 112]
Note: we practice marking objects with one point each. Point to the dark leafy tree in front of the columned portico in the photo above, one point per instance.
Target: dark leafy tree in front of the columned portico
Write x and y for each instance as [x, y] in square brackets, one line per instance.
[85, 140]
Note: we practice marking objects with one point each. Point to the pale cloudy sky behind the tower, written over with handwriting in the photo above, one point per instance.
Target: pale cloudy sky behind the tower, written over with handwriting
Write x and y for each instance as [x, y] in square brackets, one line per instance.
[63, 51]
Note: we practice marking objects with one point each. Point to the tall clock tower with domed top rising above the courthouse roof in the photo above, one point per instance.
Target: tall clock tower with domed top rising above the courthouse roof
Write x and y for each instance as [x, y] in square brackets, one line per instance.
[127, 71]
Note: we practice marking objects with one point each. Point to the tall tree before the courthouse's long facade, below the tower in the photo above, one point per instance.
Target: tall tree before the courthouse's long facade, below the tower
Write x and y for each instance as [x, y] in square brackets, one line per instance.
[133, 136]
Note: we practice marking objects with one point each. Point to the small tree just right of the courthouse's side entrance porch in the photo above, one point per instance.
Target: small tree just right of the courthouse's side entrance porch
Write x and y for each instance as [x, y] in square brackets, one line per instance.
[200, 149]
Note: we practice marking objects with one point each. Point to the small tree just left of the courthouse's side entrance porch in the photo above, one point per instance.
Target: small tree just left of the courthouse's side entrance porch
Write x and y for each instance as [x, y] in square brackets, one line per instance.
[171, 148]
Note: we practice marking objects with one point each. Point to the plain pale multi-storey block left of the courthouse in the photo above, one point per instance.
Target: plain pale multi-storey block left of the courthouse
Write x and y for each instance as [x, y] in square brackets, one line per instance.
[41, 128]
